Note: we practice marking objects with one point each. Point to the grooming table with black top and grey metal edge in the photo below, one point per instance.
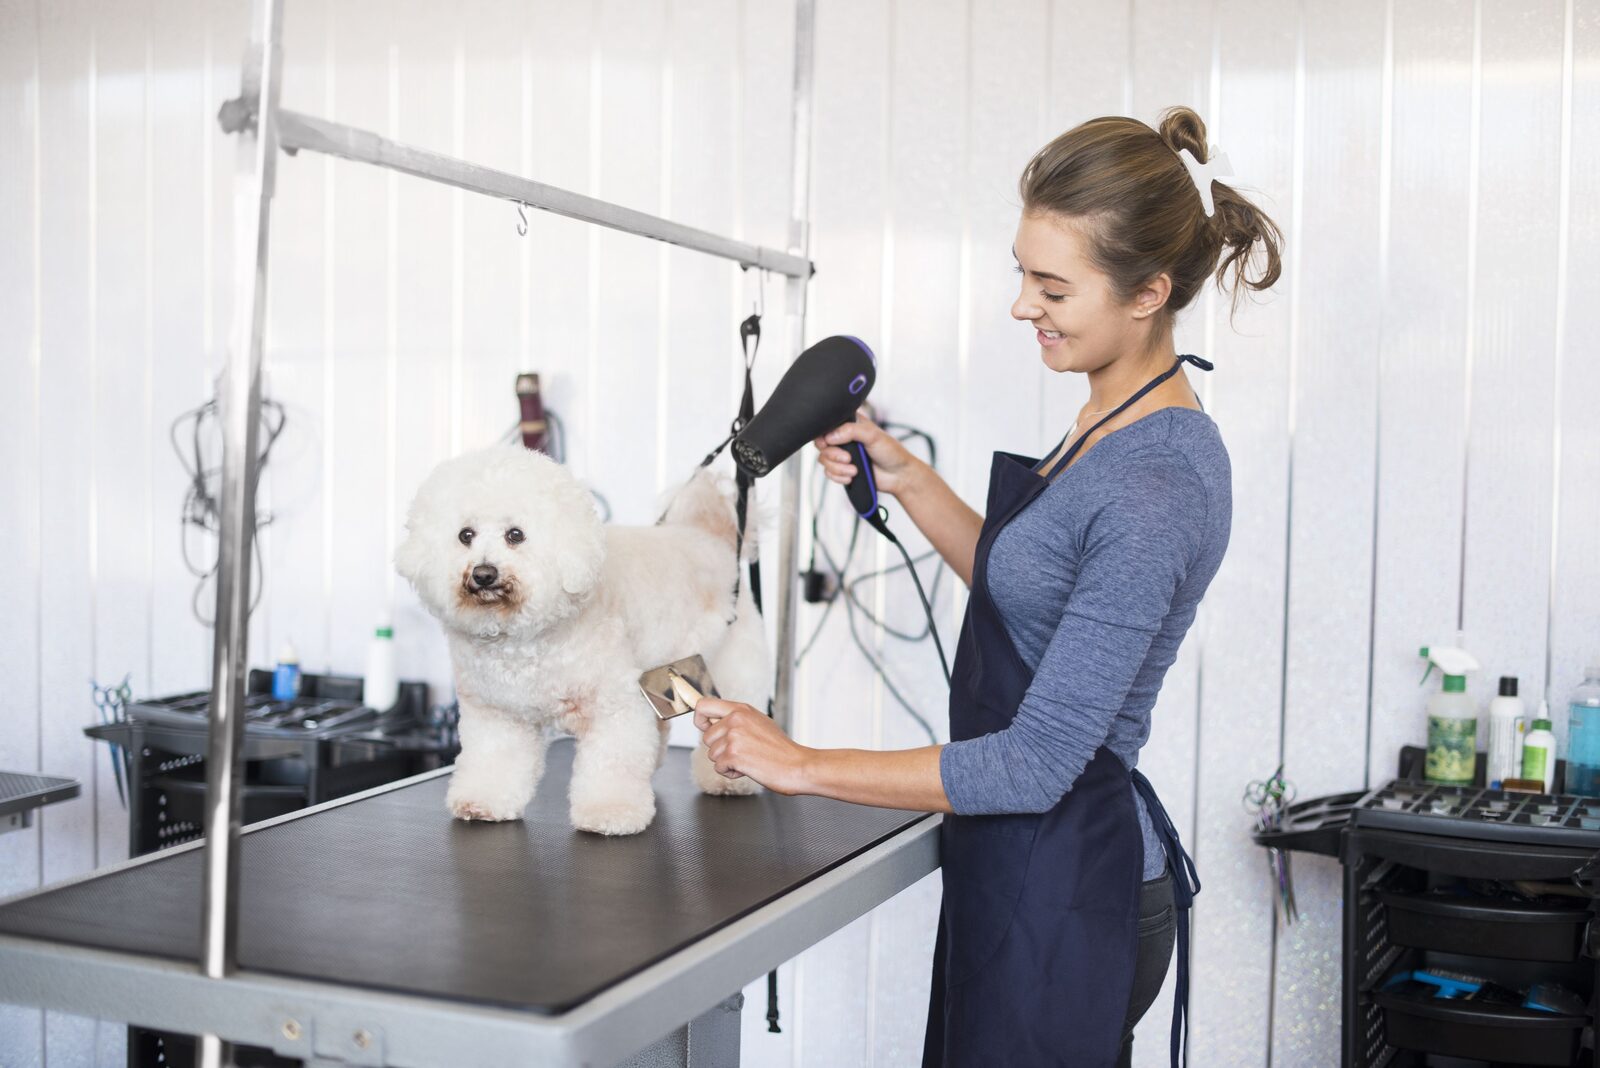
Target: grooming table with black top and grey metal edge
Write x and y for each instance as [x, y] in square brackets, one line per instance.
[378, 931]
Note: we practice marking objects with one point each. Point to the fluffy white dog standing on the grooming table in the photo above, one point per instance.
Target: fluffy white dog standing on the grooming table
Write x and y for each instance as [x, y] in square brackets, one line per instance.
[553, 616]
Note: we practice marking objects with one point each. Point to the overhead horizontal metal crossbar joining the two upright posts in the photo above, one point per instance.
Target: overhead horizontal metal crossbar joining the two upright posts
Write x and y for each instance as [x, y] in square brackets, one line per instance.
[348, 143]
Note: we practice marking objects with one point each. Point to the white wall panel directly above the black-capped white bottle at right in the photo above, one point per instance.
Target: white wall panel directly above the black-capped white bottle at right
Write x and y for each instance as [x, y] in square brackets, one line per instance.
[1513, 345]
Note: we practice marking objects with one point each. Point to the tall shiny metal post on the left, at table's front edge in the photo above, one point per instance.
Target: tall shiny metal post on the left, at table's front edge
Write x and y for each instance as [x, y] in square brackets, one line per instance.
[241, 394]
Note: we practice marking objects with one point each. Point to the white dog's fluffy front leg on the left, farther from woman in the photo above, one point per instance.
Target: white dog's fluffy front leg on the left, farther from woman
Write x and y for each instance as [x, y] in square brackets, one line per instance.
[500, 767]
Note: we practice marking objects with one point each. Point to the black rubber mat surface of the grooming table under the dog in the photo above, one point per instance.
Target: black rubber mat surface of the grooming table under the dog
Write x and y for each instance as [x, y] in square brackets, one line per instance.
[391, 893]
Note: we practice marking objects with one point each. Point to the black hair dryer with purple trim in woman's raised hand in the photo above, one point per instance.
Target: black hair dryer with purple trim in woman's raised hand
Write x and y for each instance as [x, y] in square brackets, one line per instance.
[820, 391]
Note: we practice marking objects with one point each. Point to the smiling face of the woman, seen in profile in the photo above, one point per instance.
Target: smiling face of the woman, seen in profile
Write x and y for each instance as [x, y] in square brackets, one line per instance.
[1079, 321]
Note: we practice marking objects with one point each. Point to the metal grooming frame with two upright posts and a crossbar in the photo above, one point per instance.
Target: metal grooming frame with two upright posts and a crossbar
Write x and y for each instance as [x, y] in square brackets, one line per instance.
[263, 129]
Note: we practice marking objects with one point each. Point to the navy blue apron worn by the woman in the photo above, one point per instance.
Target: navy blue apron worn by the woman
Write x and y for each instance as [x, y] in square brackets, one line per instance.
[1039, 930]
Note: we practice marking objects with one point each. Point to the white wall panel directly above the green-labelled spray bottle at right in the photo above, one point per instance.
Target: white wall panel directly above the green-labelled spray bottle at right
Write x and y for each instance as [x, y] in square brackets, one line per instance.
[1423, 369]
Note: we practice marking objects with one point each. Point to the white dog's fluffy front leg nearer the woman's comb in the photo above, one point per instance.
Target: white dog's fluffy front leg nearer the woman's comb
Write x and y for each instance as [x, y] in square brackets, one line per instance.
[617, 757]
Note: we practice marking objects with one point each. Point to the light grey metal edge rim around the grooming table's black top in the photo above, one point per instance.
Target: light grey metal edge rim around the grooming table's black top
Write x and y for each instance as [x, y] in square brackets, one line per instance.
[298, 1018]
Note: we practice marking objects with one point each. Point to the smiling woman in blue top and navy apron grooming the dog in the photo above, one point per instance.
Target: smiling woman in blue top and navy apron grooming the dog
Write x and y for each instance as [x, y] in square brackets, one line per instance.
[1063, 875]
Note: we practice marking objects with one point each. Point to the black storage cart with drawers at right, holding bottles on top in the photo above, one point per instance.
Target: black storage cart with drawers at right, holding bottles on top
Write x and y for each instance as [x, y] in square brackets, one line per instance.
[1466, 882]
